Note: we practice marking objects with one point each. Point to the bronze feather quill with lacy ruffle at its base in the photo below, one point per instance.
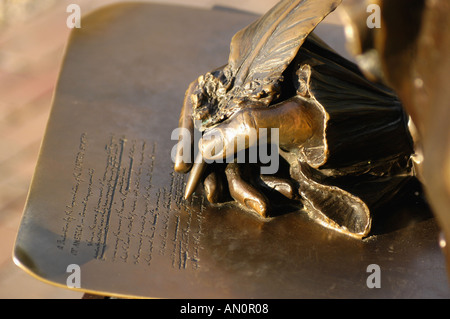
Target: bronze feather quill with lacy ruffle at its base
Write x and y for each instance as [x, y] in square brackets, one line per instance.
[259, 54]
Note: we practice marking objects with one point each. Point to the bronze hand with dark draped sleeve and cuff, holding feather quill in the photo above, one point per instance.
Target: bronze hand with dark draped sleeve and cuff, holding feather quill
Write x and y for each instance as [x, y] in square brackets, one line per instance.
[343, 138]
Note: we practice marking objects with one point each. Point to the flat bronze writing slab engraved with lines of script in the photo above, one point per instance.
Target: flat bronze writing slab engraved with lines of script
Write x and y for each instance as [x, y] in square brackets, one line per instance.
[104, 196]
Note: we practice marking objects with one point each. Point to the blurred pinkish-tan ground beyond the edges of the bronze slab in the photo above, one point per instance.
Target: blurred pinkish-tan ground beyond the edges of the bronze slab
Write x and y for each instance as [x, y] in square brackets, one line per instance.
[33, 35]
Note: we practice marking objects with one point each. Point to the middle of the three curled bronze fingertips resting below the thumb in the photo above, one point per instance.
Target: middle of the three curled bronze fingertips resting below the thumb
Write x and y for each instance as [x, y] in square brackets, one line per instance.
[243, 192]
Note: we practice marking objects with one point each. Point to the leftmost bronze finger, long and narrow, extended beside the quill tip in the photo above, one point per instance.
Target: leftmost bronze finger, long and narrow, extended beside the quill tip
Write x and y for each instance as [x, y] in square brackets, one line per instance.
[183, 156]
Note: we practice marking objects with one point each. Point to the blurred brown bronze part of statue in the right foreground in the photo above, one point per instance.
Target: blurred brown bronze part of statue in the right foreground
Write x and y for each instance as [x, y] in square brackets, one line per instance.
[411, 52]
